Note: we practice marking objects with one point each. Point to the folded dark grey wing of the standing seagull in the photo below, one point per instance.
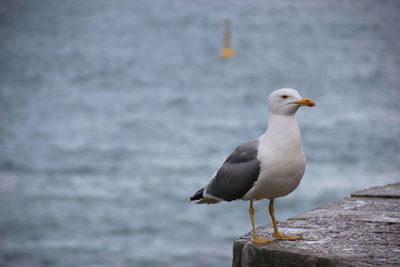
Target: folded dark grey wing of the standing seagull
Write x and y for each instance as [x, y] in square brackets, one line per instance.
[238, 173]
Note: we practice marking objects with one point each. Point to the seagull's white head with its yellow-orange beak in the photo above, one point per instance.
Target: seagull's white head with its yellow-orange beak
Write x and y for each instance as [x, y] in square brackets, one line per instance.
[286, 101]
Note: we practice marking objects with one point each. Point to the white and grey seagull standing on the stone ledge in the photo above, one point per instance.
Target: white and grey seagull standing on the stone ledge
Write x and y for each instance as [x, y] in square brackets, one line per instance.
[266, 168]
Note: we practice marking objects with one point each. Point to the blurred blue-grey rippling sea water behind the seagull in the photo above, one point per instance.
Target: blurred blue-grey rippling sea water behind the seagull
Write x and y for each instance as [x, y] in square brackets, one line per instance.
[113, 113]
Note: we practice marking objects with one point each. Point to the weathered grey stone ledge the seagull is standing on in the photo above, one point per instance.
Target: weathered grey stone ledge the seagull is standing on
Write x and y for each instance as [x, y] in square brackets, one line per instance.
[362, 230]
